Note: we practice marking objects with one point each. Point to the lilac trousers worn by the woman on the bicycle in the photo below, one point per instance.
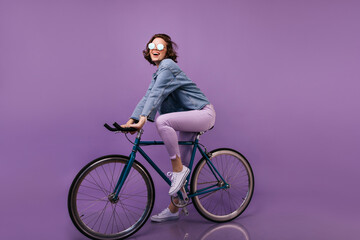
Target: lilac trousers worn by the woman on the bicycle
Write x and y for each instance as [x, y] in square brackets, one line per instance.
[188, 124]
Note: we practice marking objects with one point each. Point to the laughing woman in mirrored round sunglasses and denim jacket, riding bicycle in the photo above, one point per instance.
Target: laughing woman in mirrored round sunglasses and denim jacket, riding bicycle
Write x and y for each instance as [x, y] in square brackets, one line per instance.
[182, 107]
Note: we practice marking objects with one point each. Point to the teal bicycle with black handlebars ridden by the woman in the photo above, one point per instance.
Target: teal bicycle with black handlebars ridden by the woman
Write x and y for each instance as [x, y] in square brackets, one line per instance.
[113, 196]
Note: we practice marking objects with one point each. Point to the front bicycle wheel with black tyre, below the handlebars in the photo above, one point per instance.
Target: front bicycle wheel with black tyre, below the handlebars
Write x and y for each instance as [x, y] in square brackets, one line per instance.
[94, 214]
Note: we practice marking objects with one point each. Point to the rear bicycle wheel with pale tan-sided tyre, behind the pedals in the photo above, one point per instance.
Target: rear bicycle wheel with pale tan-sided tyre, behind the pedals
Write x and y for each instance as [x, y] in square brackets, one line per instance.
[228, 203]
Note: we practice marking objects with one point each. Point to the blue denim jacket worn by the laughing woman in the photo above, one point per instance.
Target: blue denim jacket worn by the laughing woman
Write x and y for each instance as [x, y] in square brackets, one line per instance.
[169, 91]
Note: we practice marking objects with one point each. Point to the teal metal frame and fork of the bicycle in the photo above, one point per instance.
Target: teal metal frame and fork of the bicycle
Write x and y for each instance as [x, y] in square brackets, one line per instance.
[136, 148]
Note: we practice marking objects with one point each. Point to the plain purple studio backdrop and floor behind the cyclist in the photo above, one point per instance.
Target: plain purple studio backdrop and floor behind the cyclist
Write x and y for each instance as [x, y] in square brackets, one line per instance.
[283, 76]
